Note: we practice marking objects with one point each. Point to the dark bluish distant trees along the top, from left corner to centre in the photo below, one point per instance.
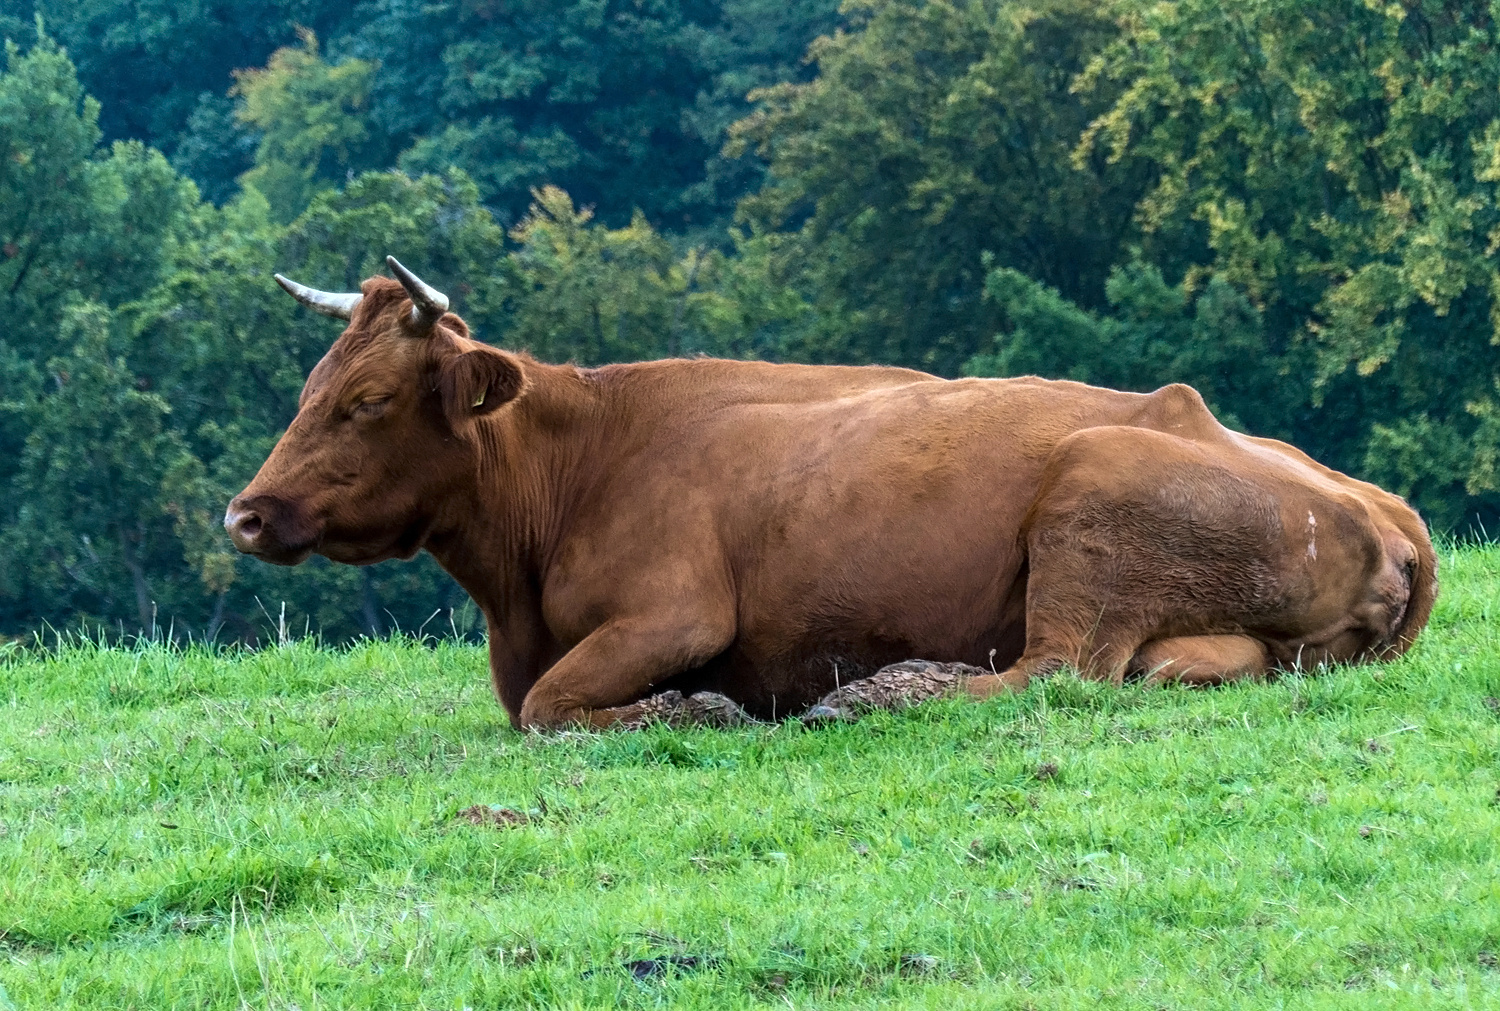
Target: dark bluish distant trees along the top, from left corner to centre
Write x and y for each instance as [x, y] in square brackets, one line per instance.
[625, 104]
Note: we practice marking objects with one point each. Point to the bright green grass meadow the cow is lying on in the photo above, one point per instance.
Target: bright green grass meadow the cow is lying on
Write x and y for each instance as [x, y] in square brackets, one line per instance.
[278, 829]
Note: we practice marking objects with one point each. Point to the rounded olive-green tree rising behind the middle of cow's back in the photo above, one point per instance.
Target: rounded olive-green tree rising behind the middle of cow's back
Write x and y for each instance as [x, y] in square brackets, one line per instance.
[938, 131]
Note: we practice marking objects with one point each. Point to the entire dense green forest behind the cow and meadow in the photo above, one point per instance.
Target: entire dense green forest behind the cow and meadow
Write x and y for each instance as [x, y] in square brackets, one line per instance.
[1292, 205]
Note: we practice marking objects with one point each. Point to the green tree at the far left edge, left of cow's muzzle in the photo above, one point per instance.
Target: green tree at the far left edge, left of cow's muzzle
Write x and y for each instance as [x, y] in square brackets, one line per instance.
[80, 232]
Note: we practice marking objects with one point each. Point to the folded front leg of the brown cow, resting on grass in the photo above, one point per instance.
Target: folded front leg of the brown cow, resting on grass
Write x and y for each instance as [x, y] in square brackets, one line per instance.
[605, 679]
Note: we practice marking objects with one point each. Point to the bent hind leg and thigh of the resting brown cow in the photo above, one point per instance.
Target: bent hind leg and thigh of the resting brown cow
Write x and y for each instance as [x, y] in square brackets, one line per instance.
[1136, 539]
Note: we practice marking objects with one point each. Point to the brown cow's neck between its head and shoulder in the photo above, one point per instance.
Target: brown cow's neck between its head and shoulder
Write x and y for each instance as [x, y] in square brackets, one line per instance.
[530, 470]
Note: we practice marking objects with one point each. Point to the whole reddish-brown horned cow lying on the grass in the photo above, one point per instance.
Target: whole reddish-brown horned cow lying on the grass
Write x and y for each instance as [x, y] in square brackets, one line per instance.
[764, 530]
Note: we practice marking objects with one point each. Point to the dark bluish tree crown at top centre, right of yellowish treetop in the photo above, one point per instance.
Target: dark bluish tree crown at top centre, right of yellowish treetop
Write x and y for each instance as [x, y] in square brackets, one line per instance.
[620, 104]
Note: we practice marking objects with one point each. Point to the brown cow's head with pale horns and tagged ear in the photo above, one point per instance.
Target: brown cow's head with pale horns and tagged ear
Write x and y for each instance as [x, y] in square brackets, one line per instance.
[385, 430]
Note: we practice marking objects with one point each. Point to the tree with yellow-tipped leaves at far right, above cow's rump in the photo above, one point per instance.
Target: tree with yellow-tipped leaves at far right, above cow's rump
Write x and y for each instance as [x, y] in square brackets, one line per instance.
[1336, 163]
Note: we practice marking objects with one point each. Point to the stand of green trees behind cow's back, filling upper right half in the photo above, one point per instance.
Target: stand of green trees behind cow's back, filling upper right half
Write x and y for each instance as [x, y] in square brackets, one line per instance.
[1288, 203]
